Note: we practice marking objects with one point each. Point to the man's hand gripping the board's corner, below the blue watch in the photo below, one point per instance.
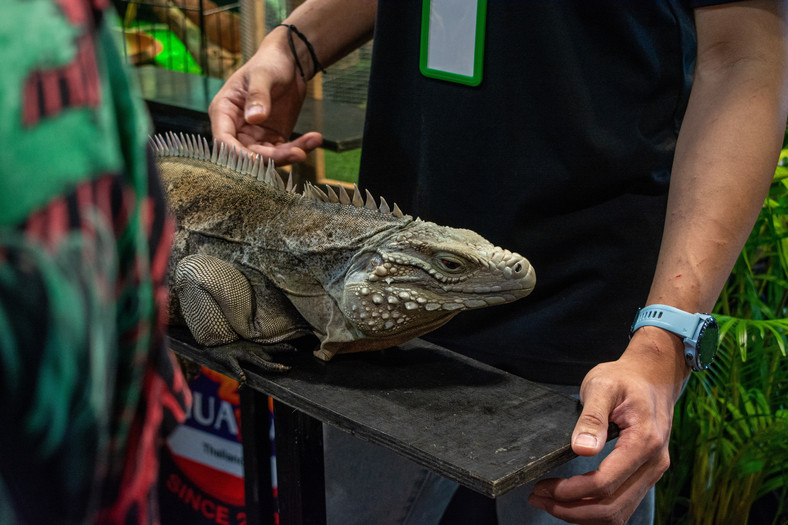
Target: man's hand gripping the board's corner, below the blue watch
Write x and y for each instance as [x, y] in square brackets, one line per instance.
[637, 393]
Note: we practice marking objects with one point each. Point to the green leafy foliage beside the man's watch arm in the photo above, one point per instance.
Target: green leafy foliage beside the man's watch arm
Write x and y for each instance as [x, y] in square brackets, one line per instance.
[729, 444]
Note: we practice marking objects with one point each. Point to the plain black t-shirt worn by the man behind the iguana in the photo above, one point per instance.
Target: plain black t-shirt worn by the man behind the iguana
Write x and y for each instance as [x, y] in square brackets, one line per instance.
[562, 153]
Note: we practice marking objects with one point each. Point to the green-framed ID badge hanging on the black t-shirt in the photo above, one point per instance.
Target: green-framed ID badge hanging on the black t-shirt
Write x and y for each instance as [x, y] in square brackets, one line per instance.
[452, 40]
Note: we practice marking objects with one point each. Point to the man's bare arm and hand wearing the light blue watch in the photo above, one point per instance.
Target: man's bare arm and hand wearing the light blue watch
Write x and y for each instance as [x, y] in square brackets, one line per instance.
[725, 158]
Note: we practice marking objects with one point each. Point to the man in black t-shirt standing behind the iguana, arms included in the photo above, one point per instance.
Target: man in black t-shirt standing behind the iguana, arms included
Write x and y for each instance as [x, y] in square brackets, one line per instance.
[624, 148]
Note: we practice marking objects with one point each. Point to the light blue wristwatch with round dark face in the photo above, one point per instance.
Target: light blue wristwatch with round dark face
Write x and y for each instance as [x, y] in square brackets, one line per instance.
[700, 332]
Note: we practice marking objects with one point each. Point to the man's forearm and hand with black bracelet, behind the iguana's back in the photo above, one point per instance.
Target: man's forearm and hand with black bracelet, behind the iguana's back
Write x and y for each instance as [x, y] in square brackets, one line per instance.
[258, 106]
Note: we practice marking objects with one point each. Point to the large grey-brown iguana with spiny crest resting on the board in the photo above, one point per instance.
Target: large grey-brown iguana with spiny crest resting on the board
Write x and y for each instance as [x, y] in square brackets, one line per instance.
[254, 259]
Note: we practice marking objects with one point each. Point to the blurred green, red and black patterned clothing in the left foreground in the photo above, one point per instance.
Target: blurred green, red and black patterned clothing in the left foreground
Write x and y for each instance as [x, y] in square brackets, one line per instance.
[87, 386]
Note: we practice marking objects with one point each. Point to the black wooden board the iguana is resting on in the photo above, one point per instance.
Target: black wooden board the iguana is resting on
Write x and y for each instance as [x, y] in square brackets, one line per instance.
[484, 428]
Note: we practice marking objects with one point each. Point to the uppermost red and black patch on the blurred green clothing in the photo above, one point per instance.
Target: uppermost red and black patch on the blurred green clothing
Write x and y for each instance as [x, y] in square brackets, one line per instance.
[47, 92]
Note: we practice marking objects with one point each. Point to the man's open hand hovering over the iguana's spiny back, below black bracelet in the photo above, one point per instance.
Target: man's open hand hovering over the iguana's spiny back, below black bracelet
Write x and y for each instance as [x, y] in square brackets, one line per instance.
[258, 106]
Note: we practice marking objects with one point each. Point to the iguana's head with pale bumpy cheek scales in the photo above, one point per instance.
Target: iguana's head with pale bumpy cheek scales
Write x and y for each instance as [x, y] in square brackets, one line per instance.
[424, 275]
